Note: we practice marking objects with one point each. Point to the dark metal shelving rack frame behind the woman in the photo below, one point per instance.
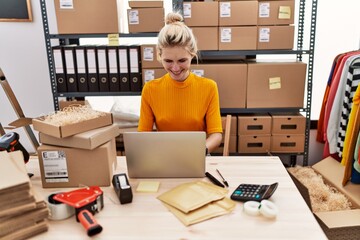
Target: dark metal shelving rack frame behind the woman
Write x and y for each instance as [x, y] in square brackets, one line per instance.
[208, 55]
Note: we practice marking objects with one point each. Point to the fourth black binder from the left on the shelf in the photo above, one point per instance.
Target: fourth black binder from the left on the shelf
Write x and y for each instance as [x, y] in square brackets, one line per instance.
[93, 81]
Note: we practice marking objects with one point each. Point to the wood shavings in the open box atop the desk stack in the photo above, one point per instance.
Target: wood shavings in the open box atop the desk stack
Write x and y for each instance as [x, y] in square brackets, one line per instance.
[72, 114]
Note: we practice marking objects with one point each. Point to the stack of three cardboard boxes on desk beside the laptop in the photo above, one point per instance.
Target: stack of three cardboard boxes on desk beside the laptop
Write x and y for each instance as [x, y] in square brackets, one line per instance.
[77, 154]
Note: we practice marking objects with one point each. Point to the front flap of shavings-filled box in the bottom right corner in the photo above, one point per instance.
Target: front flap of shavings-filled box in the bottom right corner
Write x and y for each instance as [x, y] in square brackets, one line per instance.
[337, 219]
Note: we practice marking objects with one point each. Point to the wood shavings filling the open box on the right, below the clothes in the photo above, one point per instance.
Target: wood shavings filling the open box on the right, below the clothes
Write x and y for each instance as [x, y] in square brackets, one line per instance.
[323, 197]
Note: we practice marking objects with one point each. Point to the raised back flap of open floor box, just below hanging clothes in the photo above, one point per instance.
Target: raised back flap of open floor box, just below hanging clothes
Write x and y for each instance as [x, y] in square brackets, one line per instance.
[333, 172]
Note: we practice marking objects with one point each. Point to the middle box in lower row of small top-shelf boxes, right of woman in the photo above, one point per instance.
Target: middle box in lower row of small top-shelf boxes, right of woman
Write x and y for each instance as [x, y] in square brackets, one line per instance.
[238, 38]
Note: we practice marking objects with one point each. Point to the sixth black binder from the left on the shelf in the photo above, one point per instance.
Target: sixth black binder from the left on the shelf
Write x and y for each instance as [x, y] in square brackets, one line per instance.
[113, 58]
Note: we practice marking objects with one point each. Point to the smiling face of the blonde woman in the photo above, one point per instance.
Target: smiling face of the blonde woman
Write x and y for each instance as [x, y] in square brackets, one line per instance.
[176, 61]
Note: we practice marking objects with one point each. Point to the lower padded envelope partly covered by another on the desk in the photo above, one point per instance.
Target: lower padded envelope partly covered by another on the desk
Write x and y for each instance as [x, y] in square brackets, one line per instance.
[211, 210]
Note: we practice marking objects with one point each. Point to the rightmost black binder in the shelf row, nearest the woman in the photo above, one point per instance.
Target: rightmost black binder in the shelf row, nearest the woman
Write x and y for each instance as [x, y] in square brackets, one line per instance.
[135, 68]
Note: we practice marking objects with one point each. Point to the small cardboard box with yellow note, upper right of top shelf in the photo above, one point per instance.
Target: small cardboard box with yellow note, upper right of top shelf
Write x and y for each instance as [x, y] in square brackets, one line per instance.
[276, 12]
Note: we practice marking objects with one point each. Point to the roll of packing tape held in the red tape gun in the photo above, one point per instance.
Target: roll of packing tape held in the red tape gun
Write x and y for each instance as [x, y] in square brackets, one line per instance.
[58, 210]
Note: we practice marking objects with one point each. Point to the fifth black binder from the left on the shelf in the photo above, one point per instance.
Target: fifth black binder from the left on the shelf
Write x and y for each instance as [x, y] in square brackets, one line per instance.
[103, 68]
